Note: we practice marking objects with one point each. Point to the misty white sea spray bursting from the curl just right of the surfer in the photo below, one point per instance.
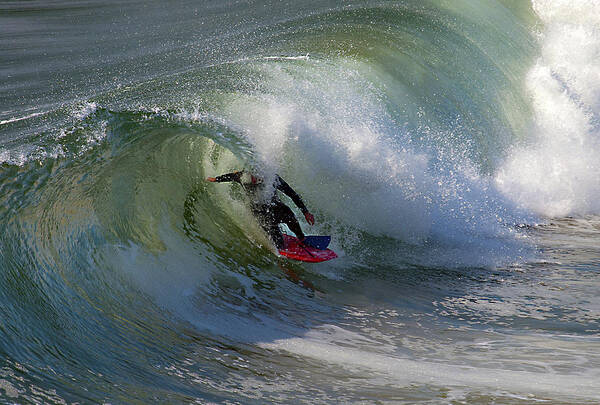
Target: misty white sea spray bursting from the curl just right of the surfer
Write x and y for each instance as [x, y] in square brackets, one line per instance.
[324, 124]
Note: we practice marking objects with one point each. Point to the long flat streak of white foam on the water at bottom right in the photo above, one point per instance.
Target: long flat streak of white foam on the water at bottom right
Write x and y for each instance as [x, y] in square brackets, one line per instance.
[403, 372]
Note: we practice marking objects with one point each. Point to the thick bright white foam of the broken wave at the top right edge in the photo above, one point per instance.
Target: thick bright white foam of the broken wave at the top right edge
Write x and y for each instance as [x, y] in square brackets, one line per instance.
[556, 173]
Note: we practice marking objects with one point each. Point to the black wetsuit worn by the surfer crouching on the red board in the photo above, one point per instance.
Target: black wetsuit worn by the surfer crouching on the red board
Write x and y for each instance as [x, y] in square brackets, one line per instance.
[270, 211]
